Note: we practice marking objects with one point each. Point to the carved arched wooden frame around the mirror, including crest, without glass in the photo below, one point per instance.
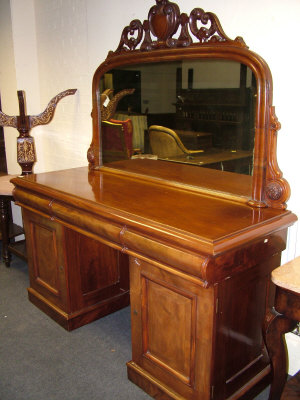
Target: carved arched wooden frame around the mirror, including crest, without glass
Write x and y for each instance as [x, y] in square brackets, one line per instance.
[153, 41]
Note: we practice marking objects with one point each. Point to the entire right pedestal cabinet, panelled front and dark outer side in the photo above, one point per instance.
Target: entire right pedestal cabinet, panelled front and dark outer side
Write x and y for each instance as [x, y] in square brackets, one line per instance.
[193, 341]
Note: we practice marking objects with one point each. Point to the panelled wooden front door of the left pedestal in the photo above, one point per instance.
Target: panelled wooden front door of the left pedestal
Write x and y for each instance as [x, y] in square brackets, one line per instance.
[47, 269]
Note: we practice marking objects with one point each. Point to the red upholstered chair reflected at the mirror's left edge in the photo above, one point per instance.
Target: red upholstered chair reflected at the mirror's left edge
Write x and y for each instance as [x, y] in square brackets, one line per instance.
[116, 140]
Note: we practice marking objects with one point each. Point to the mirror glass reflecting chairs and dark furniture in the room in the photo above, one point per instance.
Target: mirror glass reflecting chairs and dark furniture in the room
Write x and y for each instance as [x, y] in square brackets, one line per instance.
[198, 112]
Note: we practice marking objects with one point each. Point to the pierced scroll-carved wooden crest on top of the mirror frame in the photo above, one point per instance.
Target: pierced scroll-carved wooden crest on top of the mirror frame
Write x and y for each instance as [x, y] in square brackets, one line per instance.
[164, 21]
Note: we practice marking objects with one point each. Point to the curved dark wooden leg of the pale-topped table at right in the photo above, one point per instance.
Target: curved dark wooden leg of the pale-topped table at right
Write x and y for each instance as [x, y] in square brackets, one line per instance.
[274, 327]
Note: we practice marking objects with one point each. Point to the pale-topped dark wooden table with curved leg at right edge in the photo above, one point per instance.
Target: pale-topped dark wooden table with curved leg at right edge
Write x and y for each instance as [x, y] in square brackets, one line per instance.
[282, 319]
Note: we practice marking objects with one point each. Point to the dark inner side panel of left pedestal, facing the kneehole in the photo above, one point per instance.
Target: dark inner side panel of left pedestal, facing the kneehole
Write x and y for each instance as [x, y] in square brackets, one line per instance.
[96, 272]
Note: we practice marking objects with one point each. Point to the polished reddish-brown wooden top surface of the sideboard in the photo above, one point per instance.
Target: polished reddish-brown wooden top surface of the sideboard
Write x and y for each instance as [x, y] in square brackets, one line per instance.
[152, 204]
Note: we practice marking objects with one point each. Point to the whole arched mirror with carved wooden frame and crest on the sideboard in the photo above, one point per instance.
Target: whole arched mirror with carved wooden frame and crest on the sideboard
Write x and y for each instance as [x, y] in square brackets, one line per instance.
[180, 101]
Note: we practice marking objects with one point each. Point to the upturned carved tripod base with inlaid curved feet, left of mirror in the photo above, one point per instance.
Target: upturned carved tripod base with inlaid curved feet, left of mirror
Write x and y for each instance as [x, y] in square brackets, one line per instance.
[26, 155]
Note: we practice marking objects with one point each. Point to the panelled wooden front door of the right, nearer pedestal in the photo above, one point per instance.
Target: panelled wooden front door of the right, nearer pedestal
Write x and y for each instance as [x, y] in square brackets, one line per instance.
[172, 330]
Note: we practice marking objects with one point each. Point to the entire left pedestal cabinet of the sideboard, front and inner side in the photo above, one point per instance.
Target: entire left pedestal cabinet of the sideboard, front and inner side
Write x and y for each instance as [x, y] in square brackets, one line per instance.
[73, 278]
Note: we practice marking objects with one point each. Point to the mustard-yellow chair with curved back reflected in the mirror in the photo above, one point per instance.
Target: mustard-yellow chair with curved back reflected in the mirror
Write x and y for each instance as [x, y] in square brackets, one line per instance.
[165, 143]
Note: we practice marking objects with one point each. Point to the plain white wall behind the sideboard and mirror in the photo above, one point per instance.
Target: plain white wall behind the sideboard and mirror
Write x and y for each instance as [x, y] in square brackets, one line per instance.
[51, 45]
